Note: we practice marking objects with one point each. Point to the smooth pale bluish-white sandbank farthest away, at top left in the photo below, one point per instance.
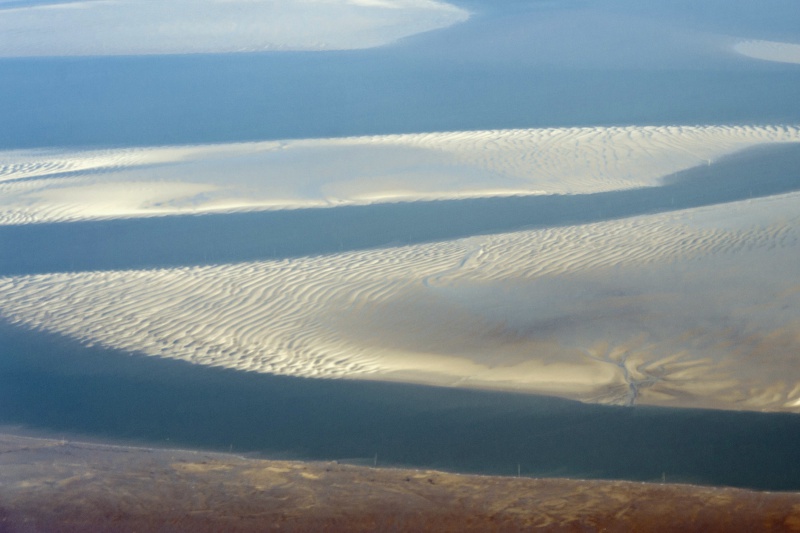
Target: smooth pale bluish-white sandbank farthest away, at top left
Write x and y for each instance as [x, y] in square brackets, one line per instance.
[136, 27]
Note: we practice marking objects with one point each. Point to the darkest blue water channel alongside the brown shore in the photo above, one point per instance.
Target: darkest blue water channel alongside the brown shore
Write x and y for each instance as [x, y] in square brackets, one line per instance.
[56, 386]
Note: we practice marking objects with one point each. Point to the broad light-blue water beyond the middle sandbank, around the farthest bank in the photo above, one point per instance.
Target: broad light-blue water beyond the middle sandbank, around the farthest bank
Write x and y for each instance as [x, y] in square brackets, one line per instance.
[494, 71]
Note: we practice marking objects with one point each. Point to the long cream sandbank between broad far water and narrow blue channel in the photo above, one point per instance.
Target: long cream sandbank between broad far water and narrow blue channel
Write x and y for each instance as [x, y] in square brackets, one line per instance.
[51, 186]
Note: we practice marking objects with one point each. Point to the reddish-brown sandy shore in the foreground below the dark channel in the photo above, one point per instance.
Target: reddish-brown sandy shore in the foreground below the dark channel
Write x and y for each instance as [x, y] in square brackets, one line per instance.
[58, 486]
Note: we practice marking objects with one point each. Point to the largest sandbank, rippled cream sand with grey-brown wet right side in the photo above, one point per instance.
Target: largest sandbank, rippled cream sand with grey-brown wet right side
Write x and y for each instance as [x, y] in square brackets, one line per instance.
[695, 308]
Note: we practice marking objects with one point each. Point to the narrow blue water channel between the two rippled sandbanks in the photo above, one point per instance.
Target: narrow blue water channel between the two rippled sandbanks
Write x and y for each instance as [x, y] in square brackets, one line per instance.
[211, 239]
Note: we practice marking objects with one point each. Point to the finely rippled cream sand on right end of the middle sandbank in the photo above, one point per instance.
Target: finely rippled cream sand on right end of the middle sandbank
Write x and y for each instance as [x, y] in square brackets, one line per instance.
[594, 159]
